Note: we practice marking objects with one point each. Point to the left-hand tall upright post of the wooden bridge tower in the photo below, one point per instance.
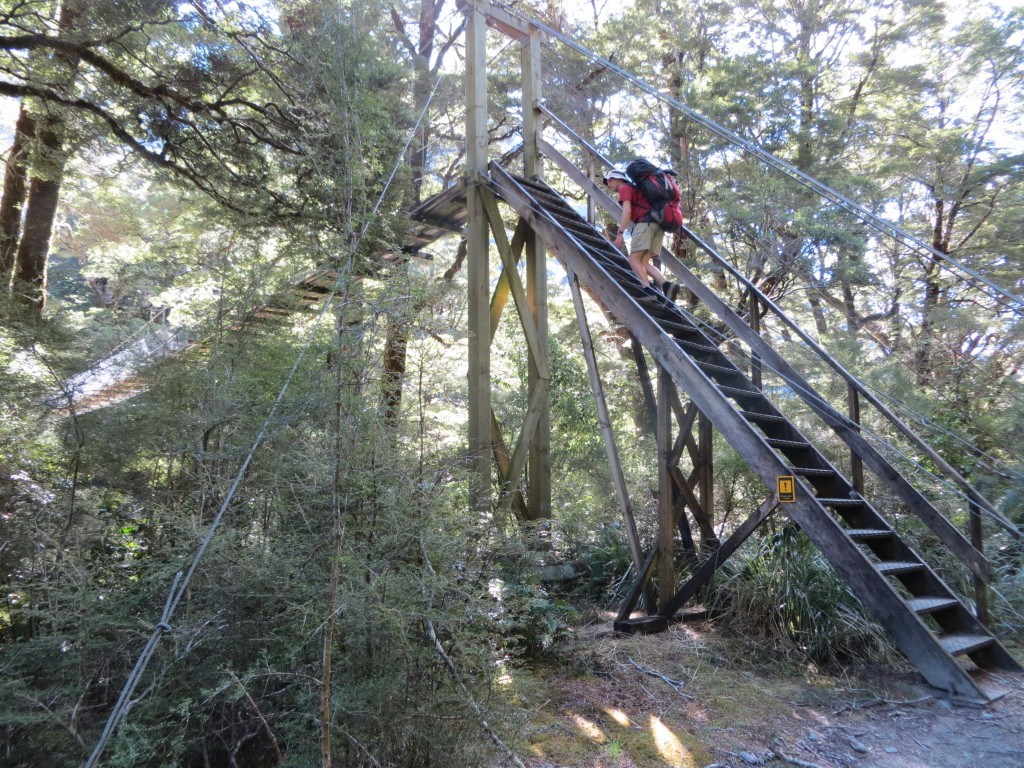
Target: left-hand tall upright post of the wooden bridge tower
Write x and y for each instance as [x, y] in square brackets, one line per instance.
[479, 267]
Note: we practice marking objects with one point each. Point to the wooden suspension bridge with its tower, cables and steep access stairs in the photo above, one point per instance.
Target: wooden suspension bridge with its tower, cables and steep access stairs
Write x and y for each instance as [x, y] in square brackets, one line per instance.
[701, 372]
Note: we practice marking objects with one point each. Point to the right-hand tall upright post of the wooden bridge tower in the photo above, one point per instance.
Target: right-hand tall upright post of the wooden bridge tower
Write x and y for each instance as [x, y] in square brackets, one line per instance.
[537, 289]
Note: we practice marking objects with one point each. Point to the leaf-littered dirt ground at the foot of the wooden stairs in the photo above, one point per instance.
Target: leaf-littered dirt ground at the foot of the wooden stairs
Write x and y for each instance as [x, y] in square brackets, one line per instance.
[692, 699]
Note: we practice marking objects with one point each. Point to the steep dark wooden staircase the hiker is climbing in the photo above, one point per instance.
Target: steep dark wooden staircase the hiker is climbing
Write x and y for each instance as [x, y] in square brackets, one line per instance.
[936, 631]
